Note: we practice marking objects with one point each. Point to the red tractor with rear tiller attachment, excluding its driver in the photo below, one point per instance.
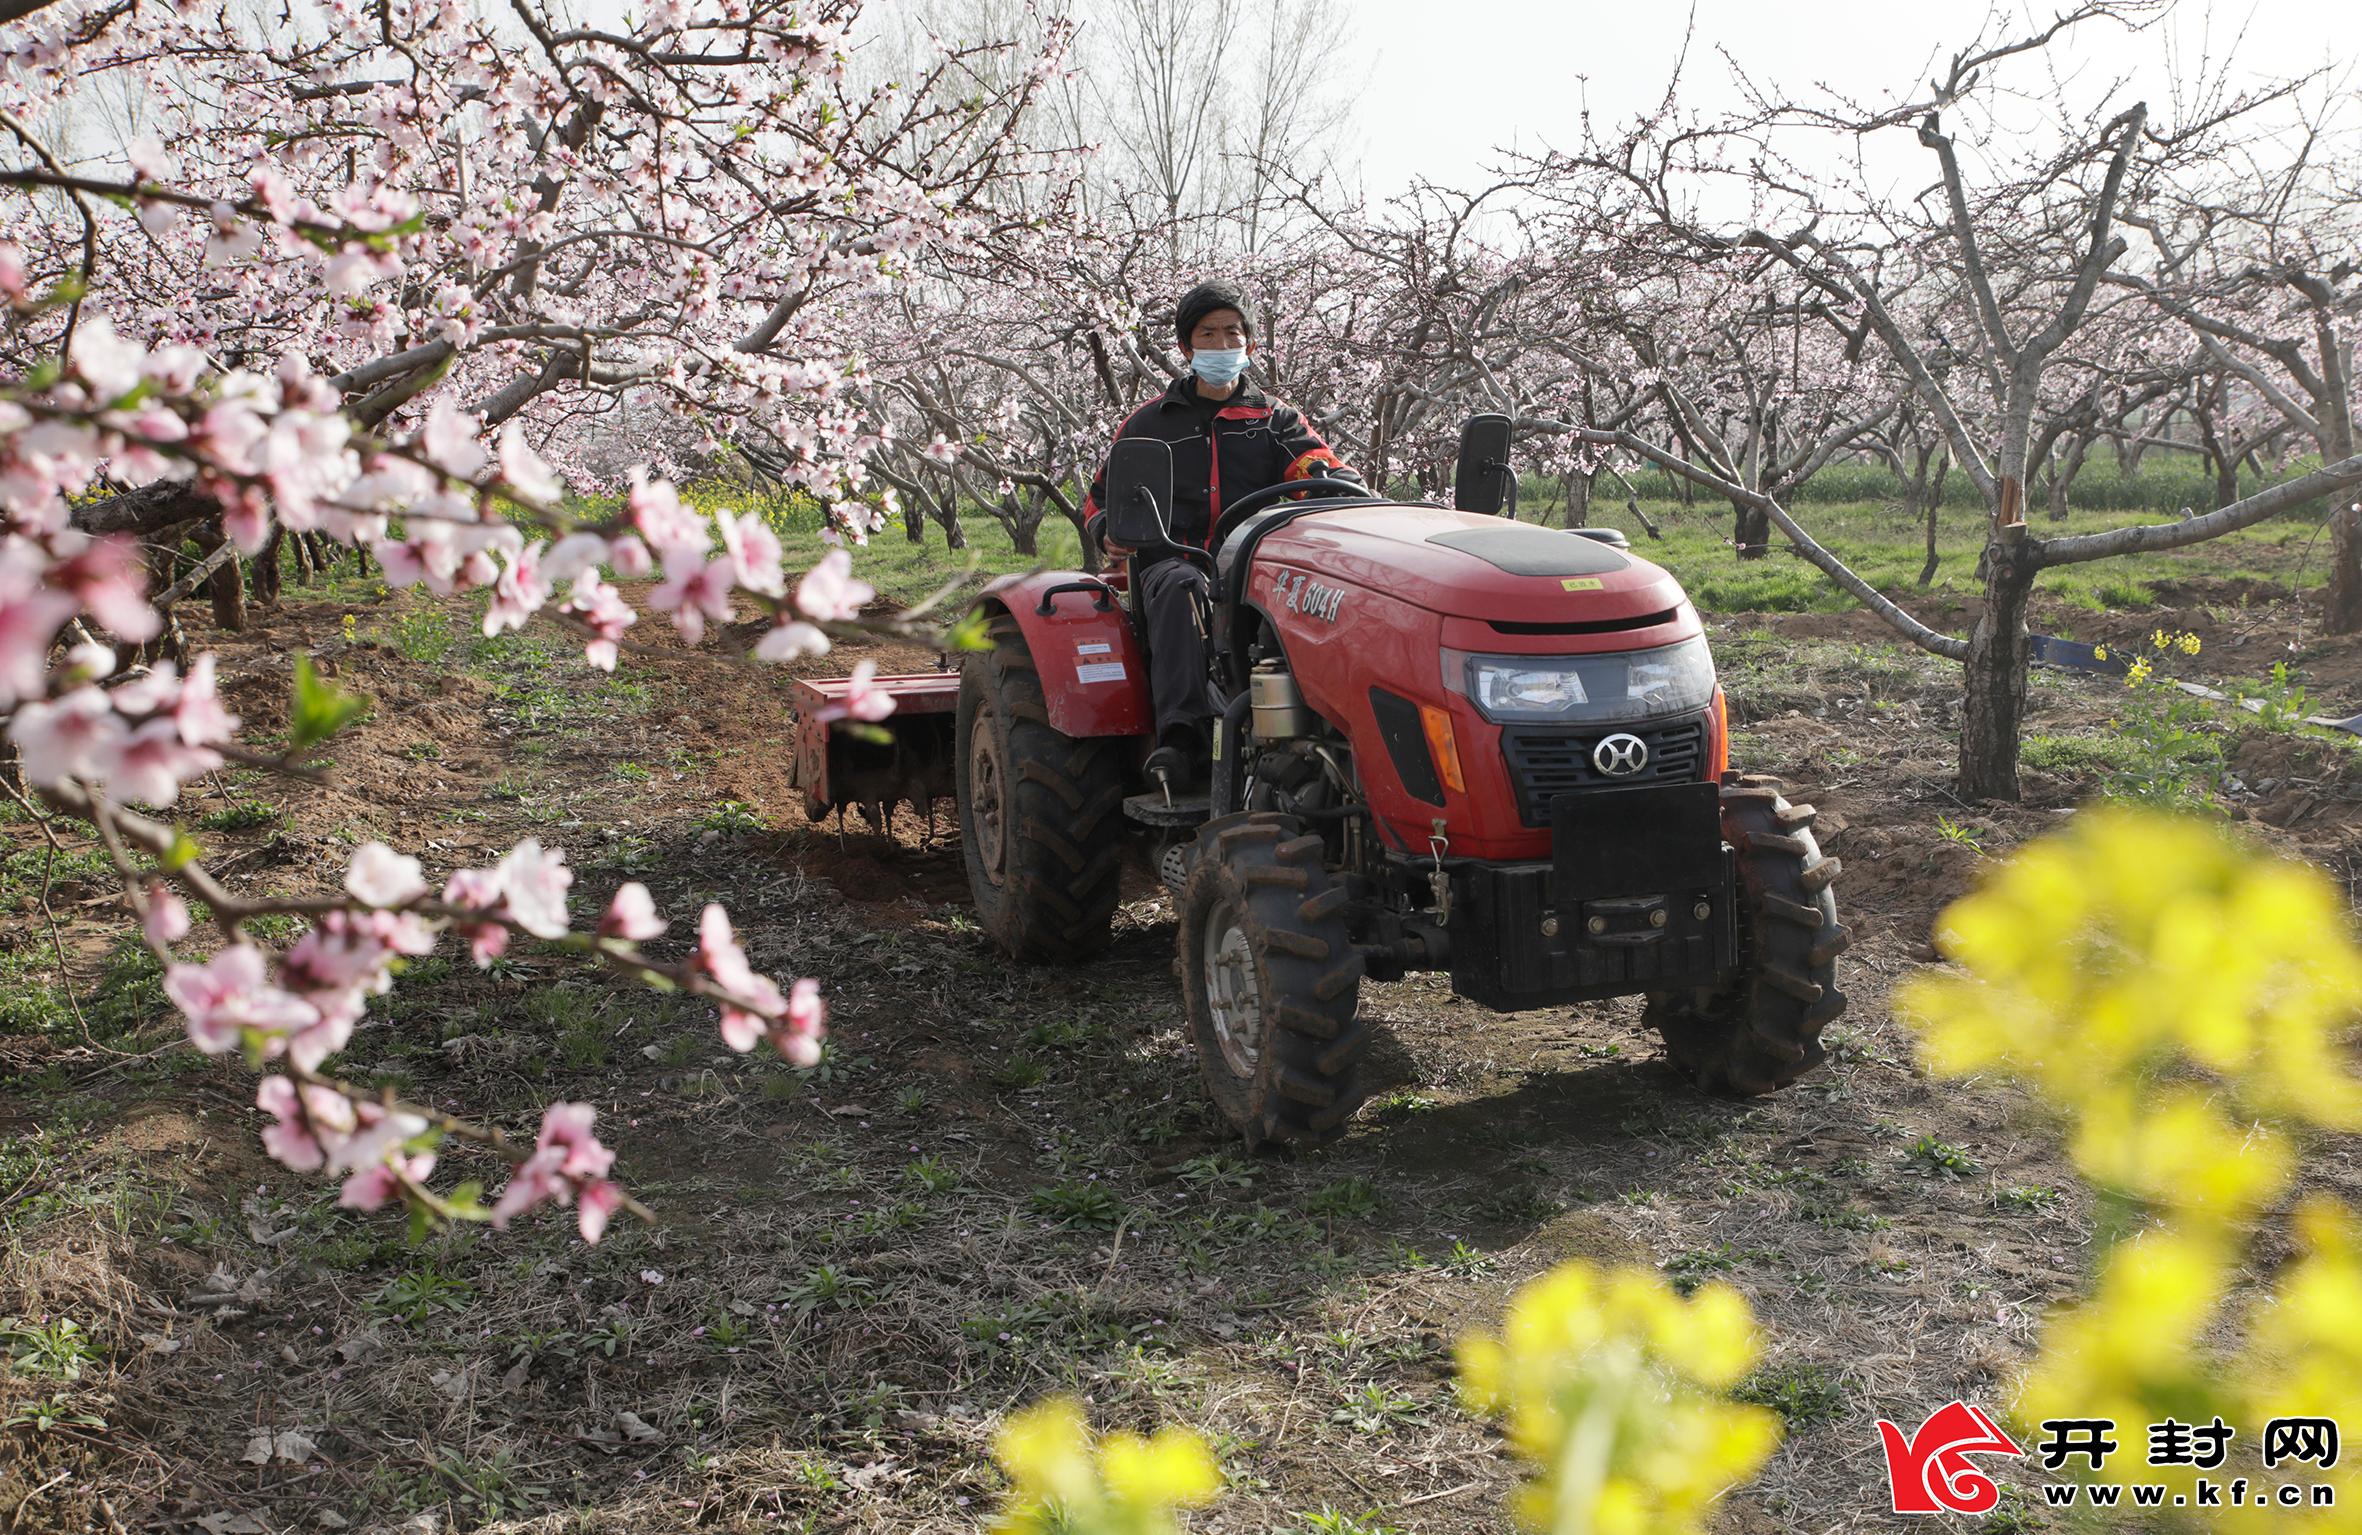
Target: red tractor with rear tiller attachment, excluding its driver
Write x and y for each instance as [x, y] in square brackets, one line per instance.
[1451, 743]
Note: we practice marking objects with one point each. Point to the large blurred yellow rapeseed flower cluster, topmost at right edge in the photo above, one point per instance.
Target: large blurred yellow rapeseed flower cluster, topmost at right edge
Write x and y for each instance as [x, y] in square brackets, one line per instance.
[2136, 951]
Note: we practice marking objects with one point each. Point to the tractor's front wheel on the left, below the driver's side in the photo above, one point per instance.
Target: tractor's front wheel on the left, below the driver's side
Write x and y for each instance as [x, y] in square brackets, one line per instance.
[1270, 979]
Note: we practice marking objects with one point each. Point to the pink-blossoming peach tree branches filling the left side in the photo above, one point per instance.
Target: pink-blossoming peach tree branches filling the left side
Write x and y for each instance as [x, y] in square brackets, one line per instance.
[389, 252]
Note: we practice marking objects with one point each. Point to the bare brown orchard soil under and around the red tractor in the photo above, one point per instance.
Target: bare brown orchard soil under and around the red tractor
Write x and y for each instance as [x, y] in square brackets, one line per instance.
[1005, 1180]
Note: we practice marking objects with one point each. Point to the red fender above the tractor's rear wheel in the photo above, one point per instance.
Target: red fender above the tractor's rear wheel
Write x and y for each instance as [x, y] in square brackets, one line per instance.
[1095, 677]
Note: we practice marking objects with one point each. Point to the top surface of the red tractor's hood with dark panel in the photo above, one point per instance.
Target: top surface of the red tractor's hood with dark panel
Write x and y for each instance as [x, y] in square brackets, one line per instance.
[1473, 568]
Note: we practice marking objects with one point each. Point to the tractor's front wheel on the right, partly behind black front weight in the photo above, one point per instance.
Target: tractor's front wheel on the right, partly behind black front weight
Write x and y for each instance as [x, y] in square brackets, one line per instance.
[1763, 1028]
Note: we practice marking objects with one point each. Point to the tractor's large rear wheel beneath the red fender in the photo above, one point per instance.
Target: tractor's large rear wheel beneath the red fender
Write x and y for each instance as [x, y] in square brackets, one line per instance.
[1040, 814]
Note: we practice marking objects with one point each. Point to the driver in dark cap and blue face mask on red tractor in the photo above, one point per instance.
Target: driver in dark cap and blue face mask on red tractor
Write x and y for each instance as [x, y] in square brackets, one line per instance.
[1253, 443]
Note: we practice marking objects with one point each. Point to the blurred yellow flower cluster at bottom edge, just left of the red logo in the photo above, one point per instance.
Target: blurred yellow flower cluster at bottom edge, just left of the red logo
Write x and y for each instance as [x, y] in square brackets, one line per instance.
[1607, 1383]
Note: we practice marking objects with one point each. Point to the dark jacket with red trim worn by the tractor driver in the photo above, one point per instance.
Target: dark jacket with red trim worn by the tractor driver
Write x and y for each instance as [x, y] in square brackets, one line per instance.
[1258, 443]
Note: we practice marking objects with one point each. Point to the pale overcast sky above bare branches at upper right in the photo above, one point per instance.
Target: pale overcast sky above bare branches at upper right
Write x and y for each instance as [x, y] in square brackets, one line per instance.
[1451, 79]
